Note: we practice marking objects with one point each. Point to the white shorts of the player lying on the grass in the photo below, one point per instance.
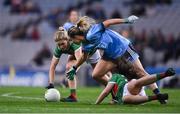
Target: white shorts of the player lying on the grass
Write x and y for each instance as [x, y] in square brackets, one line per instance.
[126, 91]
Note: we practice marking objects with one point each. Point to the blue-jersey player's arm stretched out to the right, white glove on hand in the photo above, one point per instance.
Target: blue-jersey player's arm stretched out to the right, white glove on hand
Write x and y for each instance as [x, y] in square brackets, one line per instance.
[130, 19]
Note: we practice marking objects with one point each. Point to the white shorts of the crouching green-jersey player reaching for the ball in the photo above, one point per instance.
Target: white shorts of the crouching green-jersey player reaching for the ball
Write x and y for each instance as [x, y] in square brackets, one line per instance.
[94, 58]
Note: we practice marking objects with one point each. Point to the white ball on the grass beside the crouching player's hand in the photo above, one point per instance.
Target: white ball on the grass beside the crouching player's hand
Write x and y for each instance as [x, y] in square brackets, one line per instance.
[52, 95]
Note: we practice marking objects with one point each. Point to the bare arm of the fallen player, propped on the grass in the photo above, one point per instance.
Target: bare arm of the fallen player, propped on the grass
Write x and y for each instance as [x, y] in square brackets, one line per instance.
[104, 93]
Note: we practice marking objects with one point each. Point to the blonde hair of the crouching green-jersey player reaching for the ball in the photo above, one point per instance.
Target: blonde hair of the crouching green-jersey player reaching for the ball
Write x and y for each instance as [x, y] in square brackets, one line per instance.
[61, 34]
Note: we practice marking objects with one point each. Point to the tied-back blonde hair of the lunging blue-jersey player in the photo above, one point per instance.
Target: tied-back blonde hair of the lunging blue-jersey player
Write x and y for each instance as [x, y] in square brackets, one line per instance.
[85, 23]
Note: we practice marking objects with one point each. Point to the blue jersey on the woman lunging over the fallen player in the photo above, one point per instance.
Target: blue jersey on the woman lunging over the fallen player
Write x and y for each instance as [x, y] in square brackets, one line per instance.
[113, 44]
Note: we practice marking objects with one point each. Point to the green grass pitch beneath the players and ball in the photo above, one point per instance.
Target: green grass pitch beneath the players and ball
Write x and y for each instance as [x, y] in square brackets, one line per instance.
[87, 97]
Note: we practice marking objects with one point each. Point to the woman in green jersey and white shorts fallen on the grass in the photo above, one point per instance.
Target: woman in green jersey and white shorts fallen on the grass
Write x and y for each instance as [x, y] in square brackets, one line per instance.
[132, 92]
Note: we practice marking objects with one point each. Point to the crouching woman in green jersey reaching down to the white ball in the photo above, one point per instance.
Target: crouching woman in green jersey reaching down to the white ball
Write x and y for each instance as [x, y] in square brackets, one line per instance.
[65, 46]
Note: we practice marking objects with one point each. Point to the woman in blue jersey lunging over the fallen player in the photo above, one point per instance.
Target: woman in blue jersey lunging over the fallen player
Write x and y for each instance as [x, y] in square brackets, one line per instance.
[116, 50]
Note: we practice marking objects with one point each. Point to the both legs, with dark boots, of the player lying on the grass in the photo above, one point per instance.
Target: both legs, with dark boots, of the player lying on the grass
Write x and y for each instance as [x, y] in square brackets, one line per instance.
[135, 86]
